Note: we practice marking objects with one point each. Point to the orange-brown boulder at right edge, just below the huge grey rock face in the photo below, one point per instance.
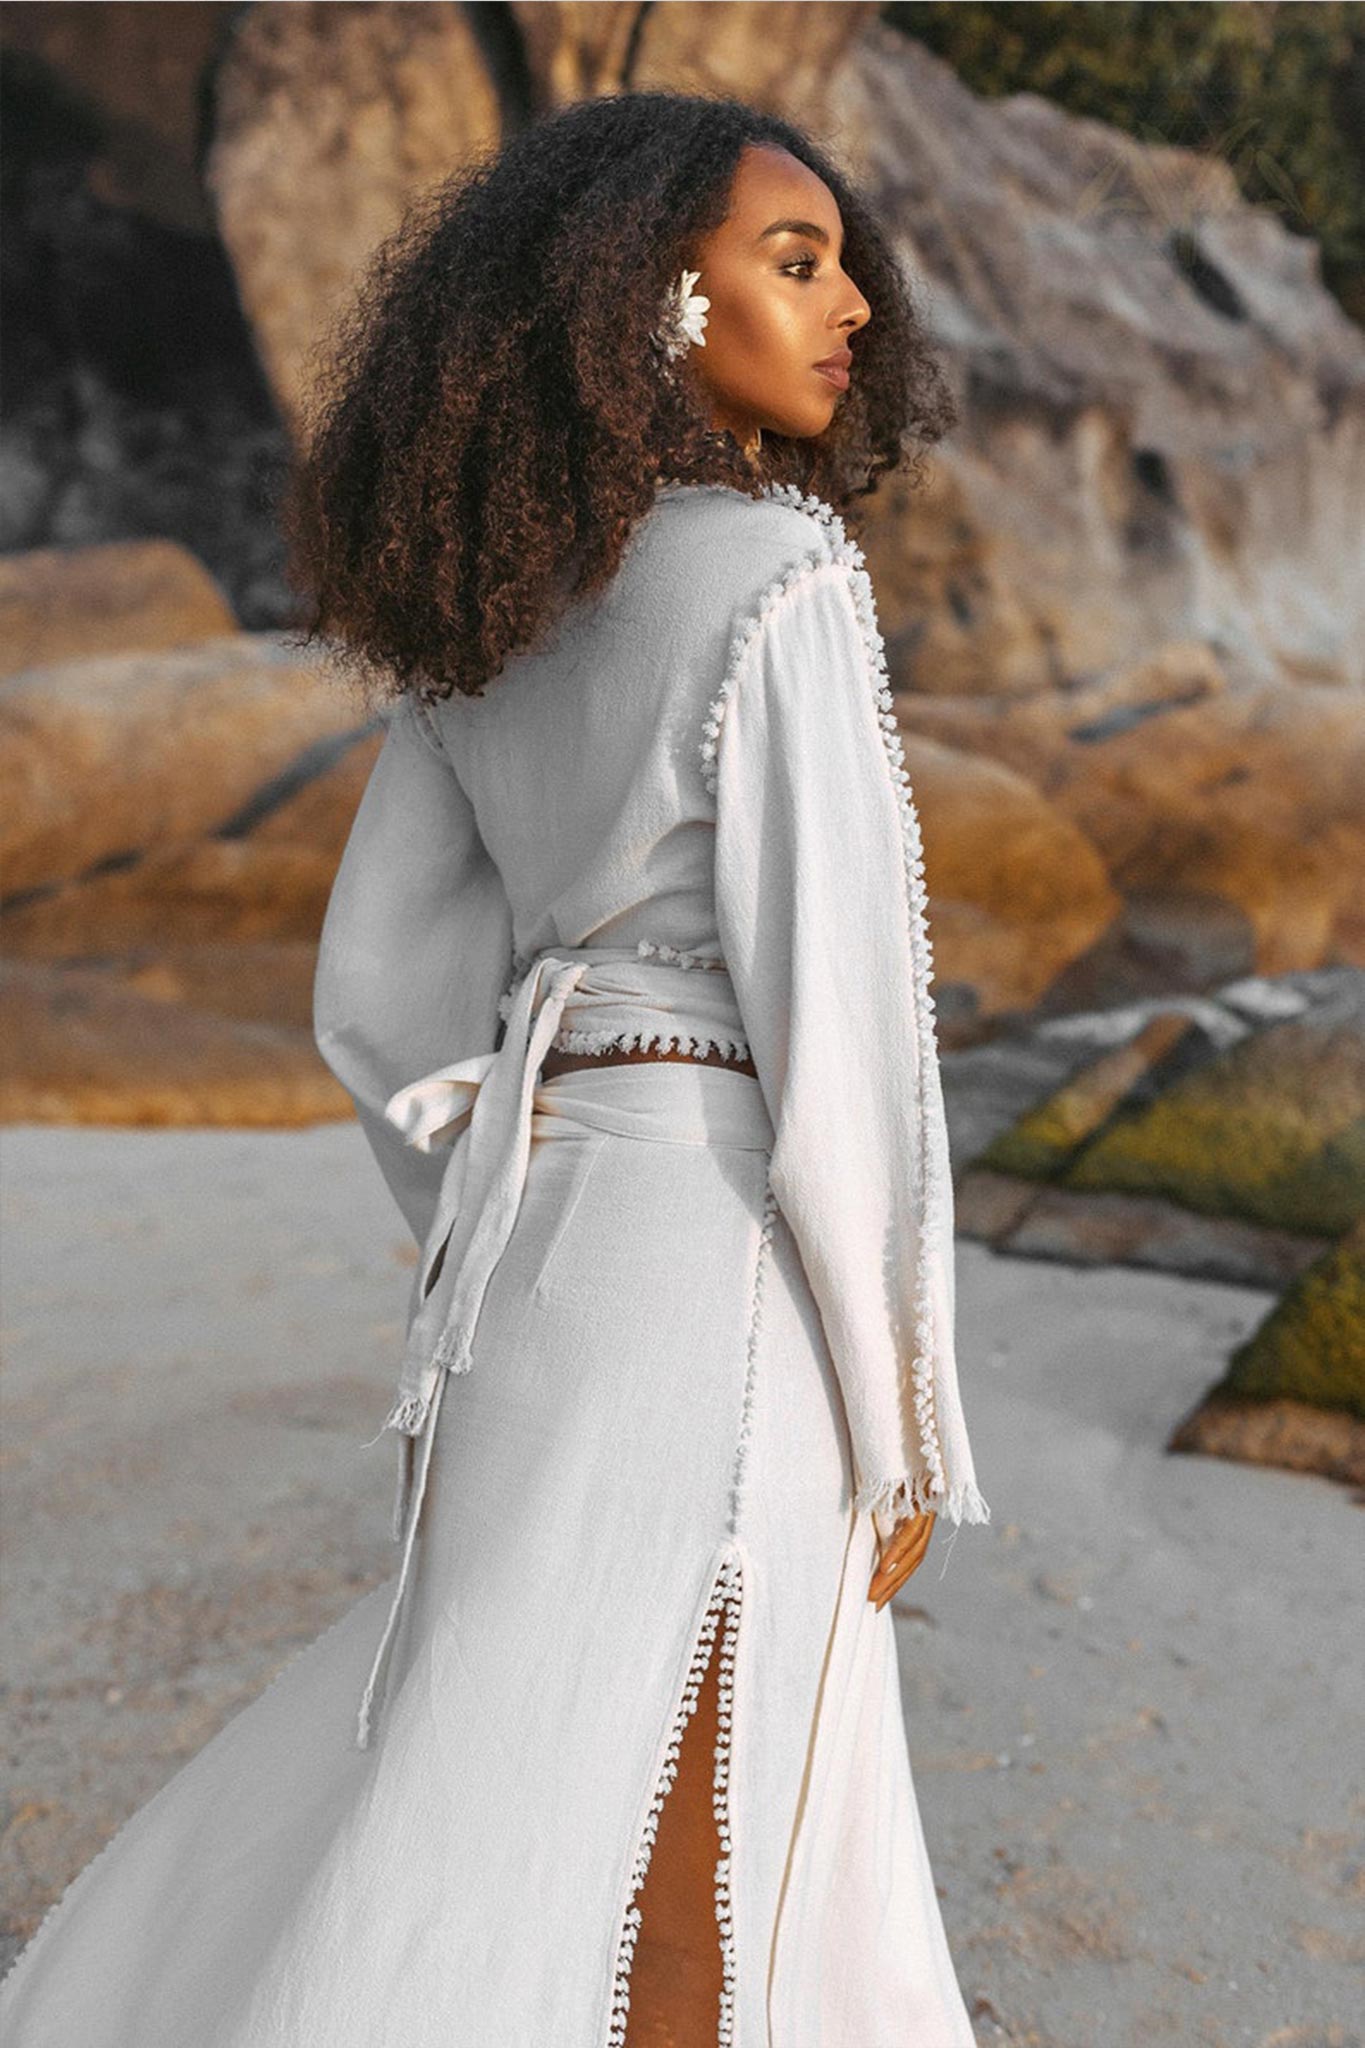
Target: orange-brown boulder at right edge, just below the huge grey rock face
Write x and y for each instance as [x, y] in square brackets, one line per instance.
[1229, 818]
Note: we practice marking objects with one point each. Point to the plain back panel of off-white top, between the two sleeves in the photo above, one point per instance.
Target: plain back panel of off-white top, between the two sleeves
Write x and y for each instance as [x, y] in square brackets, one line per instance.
[582, 761]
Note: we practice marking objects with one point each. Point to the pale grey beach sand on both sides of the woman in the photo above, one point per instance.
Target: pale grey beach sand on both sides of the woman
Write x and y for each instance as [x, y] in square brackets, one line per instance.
[1135, 1701]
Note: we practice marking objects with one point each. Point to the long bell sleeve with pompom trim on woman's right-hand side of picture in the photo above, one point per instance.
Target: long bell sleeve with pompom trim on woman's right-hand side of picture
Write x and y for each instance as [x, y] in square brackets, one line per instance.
[822, 921]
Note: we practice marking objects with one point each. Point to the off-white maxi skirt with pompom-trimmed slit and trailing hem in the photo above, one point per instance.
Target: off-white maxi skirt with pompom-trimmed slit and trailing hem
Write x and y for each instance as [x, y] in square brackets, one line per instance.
[648, 1465]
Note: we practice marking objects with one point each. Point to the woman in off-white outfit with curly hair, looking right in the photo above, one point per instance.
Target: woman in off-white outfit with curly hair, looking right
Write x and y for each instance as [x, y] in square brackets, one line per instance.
[627, 974]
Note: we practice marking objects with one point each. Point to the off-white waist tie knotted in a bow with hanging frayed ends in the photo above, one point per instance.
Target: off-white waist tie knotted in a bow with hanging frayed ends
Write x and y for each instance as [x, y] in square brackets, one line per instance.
[484, 1109]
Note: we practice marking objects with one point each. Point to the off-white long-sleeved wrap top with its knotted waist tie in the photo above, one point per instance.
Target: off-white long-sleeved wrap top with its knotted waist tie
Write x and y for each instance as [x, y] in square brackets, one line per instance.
[687, 820]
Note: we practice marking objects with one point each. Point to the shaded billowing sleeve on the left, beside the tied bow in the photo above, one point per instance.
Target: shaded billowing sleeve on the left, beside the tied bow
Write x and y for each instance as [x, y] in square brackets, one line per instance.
[416, 949]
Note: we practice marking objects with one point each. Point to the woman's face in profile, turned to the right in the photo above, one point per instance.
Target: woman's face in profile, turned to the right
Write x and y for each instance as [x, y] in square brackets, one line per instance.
[779, 302]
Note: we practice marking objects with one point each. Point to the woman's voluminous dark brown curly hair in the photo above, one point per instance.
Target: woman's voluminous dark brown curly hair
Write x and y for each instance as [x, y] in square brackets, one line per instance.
[490, 421]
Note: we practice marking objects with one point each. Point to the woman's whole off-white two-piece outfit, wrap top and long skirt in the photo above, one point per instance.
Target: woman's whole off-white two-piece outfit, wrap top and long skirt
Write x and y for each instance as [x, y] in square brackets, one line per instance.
[676, 1338]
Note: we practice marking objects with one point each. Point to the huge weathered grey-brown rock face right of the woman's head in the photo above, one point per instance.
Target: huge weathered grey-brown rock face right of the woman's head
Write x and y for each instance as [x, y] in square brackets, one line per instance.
[1163, 409]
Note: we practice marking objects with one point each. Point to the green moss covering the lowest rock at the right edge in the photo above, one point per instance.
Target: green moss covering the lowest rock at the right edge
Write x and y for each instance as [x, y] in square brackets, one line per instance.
[1313, 1345]
